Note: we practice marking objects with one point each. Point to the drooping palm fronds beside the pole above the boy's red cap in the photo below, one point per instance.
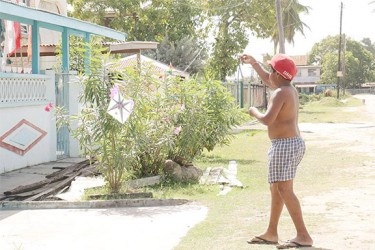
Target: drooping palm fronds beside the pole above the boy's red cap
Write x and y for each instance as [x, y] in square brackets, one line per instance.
[291, 9]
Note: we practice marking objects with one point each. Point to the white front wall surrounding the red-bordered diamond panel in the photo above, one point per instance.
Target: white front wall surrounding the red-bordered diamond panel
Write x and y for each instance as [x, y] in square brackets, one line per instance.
[12, 114]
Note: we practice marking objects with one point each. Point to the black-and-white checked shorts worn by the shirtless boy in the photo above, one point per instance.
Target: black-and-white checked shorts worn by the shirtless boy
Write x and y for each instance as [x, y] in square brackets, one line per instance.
[283, 158]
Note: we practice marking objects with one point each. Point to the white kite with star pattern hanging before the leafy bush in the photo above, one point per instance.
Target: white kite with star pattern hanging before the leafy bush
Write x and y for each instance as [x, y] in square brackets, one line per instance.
[120, 108]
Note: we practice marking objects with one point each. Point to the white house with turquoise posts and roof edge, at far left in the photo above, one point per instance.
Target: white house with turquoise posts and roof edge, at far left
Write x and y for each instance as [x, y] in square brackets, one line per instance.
[28, 134]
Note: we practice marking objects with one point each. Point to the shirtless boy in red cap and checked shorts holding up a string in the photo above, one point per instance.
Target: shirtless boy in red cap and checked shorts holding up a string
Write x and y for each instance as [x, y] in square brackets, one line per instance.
[286, 151]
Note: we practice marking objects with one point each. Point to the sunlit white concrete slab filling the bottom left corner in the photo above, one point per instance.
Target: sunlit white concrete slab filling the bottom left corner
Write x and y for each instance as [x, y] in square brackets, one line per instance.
[114, 228]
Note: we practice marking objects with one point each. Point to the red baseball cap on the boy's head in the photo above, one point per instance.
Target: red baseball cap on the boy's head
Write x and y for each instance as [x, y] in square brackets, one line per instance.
[284, 65]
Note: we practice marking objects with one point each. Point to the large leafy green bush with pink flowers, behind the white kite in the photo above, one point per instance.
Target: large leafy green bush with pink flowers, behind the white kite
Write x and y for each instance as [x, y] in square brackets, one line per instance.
[171, 119]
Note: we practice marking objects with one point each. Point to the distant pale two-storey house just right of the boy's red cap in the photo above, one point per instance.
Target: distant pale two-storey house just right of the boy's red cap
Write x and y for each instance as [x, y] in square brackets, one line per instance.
[306, 80]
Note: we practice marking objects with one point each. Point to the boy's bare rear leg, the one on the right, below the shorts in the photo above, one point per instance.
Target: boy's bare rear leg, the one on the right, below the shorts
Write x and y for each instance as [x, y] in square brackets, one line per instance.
[294, 208]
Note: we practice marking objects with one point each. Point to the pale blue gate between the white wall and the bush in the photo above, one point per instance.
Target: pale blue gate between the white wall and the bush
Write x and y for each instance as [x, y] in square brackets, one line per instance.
[62, 100]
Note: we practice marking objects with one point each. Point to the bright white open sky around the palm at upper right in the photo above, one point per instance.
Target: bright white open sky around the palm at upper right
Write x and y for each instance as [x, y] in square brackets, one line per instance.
[358, 22]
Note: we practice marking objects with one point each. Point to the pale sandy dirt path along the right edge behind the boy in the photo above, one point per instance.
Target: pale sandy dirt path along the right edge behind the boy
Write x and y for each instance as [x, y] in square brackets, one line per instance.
[346, 213]
